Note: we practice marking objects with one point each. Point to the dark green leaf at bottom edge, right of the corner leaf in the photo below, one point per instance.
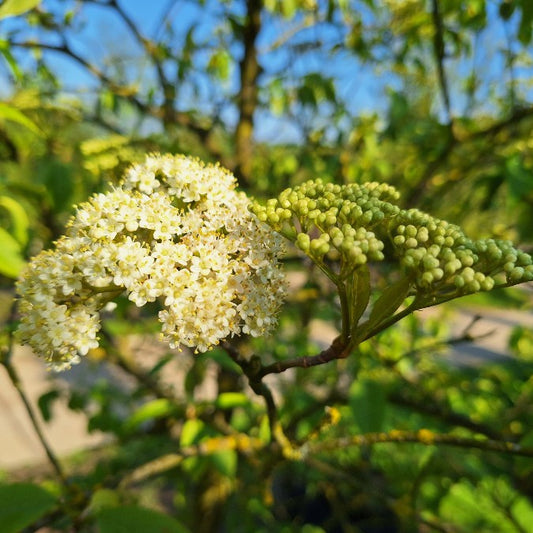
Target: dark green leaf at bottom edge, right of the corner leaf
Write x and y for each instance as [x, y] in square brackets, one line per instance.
[133, 519]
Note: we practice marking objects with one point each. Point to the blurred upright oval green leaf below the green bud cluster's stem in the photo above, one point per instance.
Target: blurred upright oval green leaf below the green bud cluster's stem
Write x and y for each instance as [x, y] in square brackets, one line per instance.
[368, 401]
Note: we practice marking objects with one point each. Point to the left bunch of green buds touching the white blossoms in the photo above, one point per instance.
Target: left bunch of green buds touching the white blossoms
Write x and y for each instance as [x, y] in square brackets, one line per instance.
[334, 222]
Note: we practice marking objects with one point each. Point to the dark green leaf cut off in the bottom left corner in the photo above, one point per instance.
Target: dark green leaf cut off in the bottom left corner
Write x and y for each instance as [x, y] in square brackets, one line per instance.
[21, 504]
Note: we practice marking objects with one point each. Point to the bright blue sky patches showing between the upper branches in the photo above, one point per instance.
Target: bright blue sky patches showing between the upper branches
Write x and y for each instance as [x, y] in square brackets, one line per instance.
[363, 88]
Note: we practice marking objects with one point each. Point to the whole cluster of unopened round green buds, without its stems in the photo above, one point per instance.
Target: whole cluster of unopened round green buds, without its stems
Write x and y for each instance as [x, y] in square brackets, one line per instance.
[353, 224]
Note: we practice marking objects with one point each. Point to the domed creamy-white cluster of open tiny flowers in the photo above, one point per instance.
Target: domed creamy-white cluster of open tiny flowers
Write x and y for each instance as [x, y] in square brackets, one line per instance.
[175, 230]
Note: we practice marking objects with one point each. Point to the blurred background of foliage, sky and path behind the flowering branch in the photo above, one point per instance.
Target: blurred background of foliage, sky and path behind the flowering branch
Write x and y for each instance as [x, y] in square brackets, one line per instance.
[432, 96]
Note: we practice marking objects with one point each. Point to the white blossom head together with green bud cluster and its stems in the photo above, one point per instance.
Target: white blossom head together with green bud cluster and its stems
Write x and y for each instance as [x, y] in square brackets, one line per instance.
[177, 230]
